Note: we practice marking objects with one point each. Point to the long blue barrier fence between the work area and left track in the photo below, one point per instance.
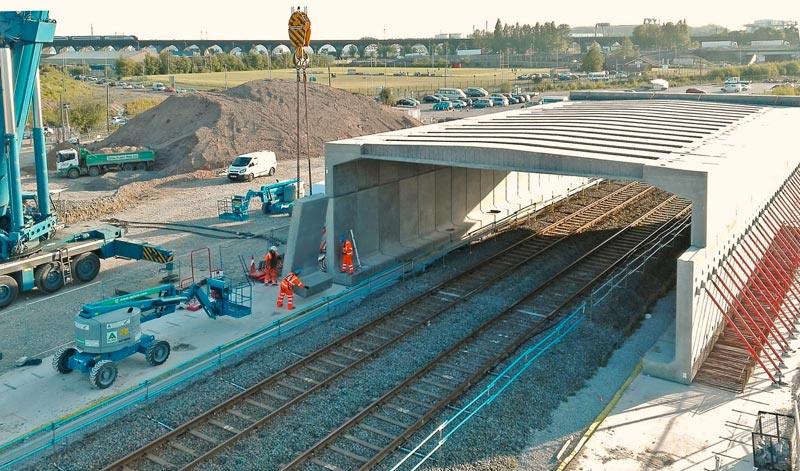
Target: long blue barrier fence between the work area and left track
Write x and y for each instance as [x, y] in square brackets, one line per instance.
[60, 431]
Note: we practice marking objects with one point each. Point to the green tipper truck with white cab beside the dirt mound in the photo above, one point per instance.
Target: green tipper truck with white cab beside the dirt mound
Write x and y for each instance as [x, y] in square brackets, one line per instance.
[73, 163]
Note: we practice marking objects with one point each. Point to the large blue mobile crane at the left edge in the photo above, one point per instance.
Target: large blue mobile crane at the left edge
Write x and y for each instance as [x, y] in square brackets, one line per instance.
[32, 253]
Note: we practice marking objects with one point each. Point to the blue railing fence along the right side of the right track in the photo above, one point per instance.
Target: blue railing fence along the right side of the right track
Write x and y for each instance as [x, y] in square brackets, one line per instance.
[425, 449]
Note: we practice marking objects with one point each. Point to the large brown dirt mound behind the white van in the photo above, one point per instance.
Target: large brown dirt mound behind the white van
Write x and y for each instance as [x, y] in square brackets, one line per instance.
[205, 130]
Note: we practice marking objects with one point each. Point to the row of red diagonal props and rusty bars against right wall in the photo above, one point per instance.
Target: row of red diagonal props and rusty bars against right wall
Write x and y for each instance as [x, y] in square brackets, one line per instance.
[753, 288]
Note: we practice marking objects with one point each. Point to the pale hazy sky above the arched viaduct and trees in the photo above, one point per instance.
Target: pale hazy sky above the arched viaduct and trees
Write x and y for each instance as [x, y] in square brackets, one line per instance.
[353, 19]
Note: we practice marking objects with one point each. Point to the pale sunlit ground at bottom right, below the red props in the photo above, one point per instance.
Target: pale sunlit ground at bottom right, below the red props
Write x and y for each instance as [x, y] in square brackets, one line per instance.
[659, 424]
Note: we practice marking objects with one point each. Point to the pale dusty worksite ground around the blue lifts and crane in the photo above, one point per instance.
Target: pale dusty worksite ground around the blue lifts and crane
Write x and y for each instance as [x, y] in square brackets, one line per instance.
[36, 325]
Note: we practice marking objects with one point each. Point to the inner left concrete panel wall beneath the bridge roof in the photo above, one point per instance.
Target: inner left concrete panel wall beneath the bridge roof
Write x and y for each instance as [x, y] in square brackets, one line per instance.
[397, 210]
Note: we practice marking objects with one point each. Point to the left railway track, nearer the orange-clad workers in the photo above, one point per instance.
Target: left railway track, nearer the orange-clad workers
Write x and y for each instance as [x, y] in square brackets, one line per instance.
[202, 437]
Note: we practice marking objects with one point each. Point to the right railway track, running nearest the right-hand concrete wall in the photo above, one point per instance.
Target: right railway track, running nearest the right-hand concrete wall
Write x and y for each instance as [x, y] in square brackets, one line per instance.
[378, 430]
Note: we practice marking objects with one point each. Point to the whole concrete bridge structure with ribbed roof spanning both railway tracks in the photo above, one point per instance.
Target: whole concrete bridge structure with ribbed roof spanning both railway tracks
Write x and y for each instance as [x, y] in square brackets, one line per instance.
[406, 191]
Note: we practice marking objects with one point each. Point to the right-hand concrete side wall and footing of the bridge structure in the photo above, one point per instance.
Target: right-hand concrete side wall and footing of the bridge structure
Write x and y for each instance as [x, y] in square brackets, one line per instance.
[725, 202]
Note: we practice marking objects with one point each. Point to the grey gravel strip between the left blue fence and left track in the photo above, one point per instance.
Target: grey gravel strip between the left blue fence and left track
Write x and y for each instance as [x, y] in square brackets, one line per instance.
[140, 424]
